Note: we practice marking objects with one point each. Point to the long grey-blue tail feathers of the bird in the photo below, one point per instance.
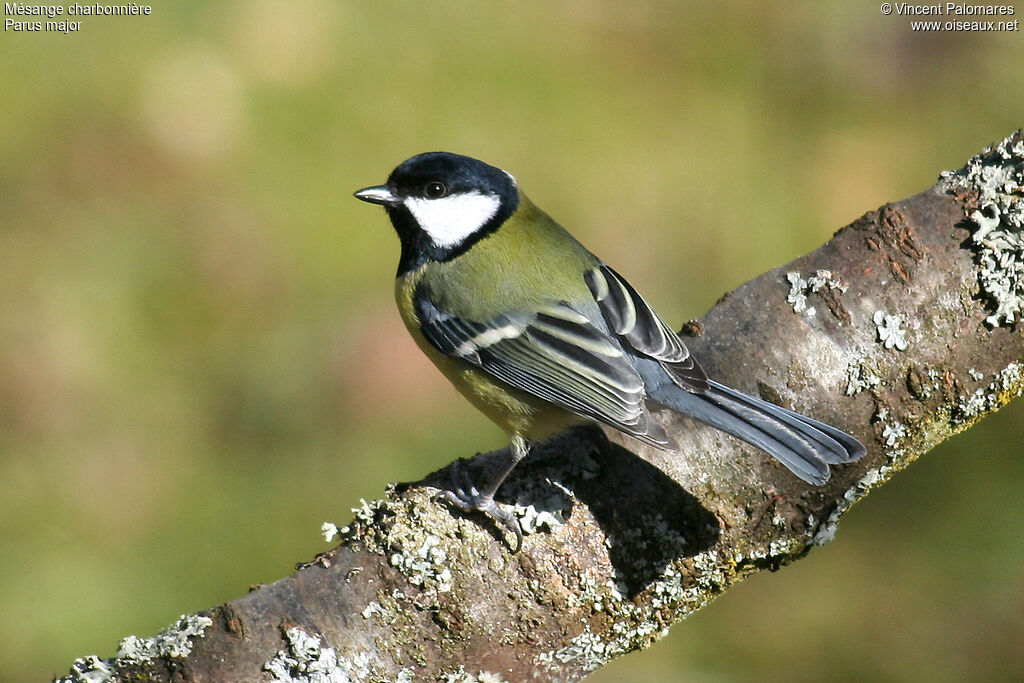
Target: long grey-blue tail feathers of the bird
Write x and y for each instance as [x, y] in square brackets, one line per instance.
[805, 446]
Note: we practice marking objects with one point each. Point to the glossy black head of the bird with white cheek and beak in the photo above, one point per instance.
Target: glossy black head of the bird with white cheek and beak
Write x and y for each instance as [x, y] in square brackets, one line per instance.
[442, 204]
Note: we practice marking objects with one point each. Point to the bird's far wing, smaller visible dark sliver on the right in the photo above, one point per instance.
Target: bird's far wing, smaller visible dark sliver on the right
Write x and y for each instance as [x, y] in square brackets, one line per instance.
[635, 322]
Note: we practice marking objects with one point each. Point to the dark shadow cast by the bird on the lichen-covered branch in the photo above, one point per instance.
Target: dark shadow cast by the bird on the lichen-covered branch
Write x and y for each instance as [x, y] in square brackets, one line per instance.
[648, 521]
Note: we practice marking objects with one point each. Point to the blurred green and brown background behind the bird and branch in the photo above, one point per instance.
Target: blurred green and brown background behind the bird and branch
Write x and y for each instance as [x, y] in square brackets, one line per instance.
[200, 361]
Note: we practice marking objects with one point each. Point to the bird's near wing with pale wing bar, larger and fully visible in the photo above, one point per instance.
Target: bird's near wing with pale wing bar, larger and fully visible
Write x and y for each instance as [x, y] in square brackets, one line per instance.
[557, 355]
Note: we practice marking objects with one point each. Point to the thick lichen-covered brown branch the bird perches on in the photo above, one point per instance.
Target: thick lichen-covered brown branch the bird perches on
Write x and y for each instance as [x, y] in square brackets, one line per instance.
[903, 330]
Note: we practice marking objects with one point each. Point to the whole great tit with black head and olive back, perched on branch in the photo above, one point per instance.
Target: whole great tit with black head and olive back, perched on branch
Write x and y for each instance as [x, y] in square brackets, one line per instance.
[540, 334]
